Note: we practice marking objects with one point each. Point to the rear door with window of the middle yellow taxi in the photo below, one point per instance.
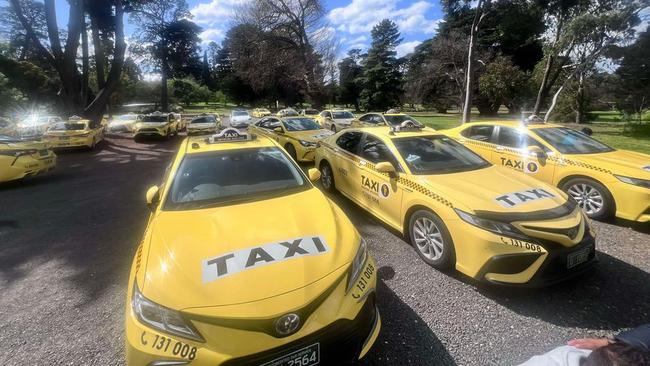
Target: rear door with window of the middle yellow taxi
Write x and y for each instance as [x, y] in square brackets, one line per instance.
[344, 165]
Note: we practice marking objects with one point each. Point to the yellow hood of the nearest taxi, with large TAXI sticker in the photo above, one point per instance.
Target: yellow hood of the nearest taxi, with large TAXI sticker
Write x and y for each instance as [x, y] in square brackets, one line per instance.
[186, 248]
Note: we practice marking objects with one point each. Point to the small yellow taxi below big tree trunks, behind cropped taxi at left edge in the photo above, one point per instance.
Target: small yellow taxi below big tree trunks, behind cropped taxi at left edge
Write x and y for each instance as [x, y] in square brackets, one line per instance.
[76, 132]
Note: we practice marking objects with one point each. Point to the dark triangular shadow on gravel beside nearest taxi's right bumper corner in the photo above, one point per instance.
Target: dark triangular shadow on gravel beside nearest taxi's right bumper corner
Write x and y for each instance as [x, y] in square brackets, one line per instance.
[405, 339]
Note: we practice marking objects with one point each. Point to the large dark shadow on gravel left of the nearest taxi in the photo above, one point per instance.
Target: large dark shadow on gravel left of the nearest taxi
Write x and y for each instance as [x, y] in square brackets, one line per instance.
[83, 220]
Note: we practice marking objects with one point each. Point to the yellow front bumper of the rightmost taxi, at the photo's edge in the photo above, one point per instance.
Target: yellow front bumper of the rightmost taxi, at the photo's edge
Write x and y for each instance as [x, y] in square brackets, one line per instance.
[632, 202]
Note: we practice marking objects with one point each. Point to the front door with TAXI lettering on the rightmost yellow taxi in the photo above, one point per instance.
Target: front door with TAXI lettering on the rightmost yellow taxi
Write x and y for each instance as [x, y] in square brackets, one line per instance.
[512, 152]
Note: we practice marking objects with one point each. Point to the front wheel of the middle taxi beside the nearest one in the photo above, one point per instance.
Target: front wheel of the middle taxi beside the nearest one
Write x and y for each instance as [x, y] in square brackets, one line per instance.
[446, 259]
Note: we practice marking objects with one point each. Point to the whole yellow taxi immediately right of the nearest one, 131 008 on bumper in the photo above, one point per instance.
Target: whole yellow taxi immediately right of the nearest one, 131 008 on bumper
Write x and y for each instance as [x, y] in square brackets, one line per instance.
[458, 210]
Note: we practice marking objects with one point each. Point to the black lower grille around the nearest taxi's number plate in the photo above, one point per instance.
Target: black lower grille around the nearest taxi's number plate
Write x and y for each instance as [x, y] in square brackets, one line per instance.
[340, 342]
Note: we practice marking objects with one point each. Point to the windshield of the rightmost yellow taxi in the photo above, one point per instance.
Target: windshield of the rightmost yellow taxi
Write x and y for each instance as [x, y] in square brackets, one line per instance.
[568, 141]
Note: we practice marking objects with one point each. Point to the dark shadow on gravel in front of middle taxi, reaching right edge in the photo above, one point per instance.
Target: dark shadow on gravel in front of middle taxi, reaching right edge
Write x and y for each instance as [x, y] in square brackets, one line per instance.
[614, 295]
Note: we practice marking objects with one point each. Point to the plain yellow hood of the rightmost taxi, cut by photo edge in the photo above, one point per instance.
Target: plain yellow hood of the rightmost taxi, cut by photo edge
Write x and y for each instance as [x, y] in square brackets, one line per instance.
[628, 163]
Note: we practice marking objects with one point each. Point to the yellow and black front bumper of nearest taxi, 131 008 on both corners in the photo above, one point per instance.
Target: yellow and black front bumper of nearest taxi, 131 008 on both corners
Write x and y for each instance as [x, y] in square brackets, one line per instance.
[344, 325]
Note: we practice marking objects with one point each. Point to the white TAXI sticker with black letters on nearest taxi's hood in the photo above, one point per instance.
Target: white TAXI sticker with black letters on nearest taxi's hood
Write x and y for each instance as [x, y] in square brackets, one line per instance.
[230, 263]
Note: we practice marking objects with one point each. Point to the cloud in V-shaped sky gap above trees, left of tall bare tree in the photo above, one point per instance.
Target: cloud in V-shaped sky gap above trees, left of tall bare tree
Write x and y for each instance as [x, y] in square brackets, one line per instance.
[215, 17]
